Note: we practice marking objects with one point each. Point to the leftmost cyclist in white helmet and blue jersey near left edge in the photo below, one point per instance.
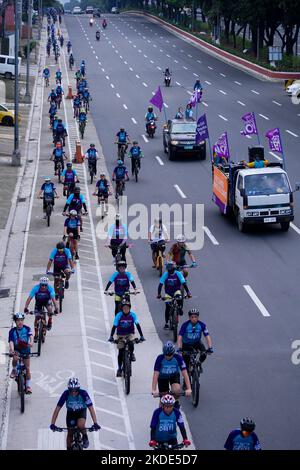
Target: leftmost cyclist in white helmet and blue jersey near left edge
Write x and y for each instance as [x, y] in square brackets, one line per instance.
[20, 341]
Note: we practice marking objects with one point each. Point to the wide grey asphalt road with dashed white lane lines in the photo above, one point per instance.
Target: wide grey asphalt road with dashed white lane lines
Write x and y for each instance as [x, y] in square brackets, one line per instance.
[251, 372]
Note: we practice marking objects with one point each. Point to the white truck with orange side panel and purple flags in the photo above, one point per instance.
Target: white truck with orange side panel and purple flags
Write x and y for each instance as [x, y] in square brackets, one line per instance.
[254, 195]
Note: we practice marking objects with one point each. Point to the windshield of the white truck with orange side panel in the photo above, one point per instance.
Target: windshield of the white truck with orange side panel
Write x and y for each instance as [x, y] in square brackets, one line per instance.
[257, 185]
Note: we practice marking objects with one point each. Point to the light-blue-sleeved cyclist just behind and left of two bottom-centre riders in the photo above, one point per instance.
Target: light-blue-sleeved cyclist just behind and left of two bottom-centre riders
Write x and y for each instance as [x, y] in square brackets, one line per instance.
[124, 324]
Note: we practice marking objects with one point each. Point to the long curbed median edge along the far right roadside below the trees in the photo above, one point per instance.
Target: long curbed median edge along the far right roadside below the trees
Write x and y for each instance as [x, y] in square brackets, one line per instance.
[242, 64]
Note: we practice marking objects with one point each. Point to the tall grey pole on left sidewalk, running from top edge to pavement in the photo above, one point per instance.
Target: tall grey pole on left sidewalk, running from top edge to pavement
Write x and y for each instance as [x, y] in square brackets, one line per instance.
[16, 156]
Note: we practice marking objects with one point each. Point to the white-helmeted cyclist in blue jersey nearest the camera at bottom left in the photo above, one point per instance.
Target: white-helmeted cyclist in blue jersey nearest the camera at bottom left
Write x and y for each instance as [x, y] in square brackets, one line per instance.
[77, 401]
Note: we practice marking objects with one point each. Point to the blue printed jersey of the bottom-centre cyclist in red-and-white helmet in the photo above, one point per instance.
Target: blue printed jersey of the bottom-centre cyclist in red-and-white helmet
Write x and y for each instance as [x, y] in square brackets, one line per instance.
[166, 425]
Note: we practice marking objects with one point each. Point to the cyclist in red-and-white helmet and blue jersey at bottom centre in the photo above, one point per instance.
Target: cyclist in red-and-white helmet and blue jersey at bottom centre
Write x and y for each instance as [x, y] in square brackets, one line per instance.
[164, 422]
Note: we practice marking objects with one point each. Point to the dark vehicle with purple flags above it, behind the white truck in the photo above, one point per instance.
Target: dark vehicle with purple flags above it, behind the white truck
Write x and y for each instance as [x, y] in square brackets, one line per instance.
[179, 137]
